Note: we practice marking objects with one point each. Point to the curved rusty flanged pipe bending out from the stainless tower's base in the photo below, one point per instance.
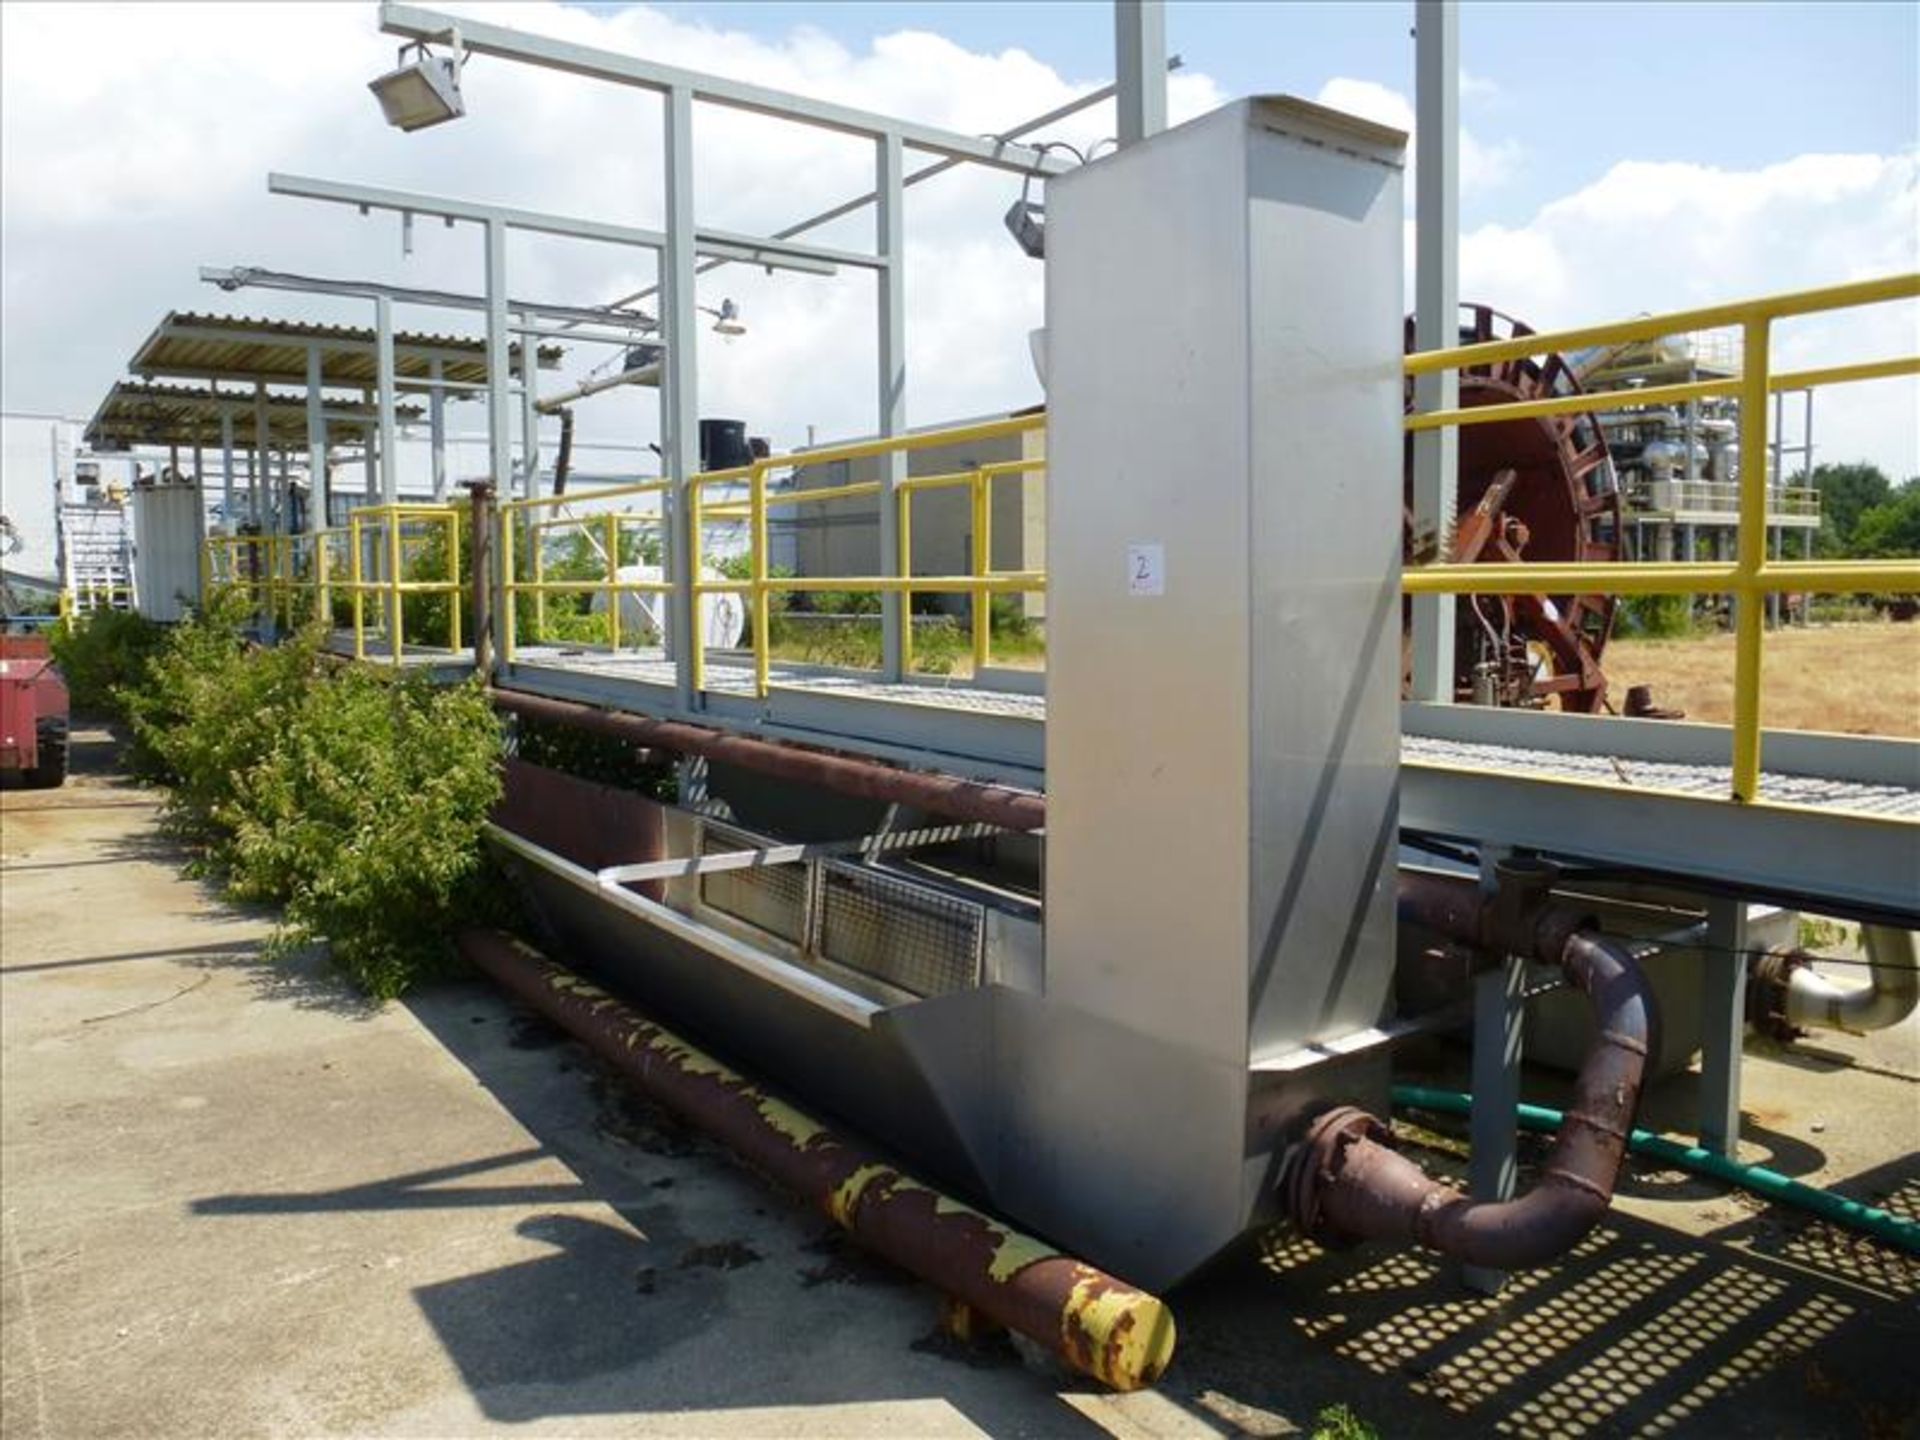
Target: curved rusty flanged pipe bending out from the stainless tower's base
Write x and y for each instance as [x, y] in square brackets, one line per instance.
[1349, 1184]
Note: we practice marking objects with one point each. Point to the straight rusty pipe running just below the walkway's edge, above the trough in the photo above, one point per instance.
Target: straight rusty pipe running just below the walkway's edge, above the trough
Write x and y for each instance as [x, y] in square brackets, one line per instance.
[869, 780]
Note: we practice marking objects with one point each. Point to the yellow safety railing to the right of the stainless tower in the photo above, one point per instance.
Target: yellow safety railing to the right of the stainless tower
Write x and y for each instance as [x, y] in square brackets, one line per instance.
[1752, 577]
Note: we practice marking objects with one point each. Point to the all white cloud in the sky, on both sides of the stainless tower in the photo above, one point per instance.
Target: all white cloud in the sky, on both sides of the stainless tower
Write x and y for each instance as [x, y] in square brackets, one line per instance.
[135, 145]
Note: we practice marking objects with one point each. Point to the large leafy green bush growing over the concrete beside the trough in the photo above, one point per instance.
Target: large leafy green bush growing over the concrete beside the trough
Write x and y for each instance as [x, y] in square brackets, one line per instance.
[347, 796]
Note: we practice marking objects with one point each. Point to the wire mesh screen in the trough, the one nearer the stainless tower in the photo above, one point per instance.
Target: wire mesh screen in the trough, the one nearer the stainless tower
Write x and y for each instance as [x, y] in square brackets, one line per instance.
[913, 938]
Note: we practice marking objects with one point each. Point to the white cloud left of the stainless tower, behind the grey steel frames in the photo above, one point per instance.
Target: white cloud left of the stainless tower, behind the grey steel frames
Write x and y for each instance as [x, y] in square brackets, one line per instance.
[128, 172]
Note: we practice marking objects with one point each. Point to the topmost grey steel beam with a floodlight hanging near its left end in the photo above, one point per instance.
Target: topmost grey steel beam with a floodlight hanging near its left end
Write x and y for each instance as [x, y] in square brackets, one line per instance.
[483, 39]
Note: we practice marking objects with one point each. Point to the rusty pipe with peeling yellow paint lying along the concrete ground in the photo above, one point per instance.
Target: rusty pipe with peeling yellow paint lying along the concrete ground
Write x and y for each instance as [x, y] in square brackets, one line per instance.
[1099, 1326]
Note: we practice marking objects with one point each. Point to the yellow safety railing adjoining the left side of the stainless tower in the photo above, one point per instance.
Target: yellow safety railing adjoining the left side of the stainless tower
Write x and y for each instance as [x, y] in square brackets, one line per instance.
[982, 583]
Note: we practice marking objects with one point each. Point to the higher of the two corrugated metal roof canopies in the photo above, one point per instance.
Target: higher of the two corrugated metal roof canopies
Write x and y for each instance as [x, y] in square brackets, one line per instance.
[235, 348]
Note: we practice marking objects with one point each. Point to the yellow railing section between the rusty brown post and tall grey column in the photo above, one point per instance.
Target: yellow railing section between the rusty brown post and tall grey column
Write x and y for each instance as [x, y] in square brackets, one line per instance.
[529, 523]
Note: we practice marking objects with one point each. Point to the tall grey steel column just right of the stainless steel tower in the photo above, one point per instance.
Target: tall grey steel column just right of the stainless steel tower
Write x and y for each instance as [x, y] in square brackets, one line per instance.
[1437, 322]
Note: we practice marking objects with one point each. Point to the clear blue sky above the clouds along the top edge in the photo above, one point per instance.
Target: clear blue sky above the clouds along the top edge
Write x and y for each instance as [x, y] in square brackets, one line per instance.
[1737, 85]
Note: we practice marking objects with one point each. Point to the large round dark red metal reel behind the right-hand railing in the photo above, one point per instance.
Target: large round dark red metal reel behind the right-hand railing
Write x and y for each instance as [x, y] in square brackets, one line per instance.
[1550, 496]
